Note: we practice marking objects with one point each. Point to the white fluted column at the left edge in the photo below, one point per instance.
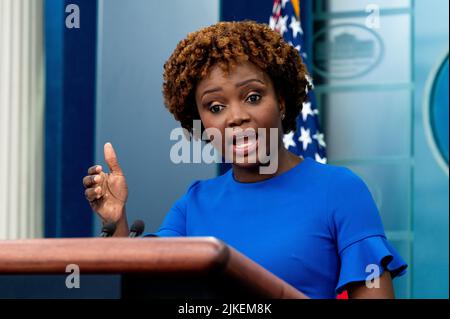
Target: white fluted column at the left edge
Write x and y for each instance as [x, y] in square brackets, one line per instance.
[21, 118]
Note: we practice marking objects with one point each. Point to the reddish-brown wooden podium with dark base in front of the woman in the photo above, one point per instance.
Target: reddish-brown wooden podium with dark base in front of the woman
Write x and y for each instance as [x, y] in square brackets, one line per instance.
[193, 267]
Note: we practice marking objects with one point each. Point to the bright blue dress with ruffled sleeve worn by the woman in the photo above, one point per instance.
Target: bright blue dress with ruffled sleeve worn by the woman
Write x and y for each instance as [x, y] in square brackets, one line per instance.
[316, 226]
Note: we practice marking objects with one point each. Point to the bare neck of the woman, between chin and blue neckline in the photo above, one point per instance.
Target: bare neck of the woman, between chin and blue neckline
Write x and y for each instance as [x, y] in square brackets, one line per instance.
[286, 161]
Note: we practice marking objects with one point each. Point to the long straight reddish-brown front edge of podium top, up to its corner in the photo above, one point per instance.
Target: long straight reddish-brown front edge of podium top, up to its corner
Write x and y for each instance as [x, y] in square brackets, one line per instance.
[113, 255]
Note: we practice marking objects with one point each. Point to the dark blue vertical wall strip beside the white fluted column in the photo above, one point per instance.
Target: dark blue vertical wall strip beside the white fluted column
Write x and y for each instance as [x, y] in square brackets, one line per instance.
[69, 117]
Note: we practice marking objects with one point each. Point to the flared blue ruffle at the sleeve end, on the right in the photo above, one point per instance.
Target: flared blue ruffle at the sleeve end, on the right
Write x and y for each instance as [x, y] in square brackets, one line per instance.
[374, 250]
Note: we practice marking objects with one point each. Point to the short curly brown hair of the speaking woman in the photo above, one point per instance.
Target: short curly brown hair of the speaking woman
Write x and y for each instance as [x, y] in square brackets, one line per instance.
[228, 44]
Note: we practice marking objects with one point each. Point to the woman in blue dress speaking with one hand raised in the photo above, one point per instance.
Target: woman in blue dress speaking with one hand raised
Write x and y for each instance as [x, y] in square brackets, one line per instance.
[316, 226]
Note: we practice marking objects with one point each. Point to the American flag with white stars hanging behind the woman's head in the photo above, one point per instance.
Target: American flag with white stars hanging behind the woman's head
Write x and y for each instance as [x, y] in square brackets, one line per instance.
[307, 140]
